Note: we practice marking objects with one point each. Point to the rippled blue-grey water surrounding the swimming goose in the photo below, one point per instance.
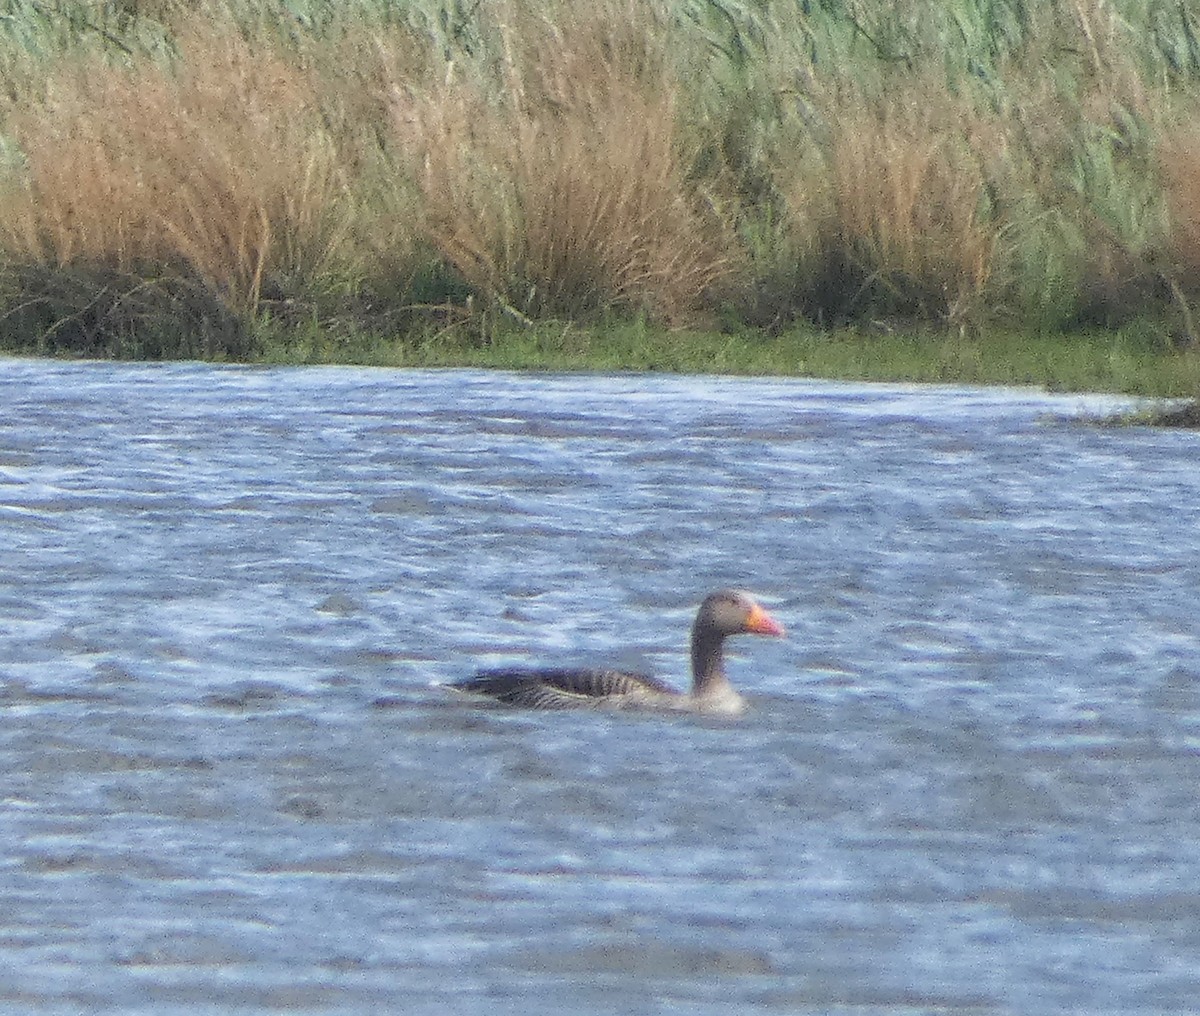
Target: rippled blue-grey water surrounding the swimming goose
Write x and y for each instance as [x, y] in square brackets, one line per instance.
[231, 784]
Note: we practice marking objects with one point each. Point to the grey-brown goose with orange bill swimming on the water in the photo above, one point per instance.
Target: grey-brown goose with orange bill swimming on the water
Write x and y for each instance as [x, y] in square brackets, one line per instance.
[724, 614]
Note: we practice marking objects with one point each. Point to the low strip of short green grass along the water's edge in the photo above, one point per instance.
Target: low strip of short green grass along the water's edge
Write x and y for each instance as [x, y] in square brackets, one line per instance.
[1131, 362]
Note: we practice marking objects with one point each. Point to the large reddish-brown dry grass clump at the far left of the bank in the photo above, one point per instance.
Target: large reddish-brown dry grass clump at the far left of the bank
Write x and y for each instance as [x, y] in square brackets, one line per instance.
[218, 173]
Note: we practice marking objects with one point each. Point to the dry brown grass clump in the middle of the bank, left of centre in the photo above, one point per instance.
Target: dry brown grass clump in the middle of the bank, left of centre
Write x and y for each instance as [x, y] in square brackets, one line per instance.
[562, 191]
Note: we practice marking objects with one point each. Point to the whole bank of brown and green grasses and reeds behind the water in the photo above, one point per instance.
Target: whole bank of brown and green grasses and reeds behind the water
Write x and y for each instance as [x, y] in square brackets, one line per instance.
[956, 190]
